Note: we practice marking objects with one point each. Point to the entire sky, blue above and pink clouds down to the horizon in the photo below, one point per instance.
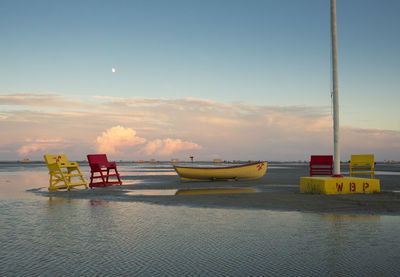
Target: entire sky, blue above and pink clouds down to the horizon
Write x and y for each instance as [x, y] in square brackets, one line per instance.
[235, 80]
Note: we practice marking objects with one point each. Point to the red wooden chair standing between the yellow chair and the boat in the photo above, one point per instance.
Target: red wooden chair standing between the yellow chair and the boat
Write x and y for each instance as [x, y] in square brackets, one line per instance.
[100, 165]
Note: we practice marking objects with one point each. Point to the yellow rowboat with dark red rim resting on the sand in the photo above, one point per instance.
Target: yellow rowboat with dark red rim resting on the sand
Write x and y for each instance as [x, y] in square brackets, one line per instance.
[245, 171]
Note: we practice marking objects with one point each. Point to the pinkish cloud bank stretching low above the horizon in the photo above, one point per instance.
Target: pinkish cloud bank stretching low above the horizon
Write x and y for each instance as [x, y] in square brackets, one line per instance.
[144, 128]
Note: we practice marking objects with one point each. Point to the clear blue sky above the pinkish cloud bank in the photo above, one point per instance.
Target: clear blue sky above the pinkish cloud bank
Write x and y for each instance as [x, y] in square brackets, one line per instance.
[261, 53]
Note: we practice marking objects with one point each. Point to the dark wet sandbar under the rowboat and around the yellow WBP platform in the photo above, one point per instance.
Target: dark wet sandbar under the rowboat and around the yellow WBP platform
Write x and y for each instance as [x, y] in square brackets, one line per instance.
[277, 190]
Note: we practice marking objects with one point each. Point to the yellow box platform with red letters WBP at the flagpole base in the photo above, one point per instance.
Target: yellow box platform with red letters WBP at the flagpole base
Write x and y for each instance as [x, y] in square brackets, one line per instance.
[338, 185]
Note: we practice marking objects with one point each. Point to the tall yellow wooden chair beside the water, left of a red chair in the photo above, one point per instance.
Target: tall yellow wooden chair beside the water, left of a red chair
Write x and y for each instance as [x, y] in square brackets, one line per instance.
[62, 171]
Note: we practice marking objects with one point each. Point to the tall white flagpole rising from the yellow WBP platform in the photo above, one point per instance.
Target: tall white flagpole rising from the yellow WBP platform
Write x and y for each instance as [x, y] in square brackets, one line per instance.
[335, 92]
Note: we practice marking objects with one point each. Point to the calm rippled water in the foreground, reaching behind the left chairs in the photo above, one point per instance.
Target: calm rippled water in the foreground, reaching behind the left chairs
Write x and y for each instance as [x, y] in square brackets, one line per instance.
[48, 236]
